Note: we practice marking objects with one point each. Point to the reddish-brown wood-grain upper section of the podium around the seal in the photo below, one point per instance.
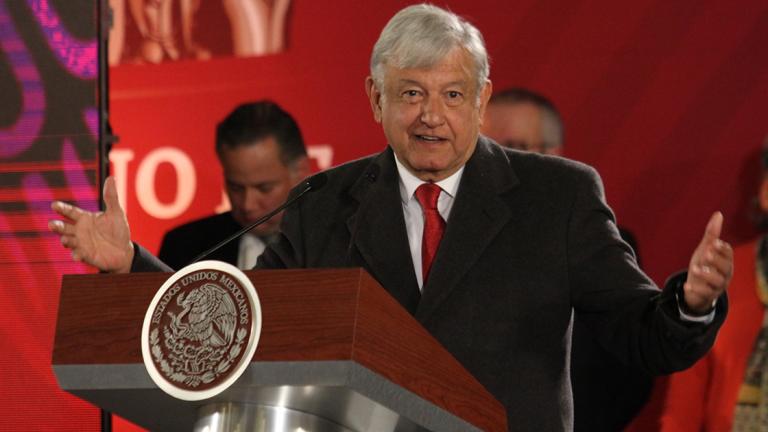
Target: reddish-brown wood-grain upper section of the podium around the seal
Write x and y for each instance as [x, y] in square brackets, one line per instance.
[308, 315]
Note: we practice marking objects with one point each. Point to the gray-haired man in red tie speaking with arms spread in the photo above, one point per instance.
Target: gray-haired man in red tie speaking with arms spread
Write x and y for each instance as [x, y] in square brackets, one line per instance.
[528, 237]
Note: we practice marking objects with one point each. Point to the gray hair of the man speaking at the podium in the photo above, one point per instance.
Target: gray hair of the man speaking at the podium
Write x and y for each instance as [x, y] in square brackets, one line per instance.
[421, 36]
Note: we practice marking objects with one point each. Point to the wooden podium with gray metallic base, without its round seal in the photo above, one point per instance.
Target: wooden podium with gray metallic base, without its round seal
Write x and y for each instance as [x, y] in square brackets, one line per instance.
[334, 346]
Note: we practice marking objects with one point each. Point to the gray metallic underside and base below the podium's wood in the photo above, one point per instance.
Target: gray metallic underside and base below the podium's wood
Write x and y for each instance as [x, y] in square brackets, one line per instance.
[341, 395]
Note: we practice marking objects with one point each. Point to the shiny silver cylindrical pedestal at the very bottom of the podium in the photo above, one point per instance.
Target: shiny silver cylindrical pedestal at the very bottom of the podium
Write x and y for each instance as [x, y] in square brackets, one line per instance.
[229, 417]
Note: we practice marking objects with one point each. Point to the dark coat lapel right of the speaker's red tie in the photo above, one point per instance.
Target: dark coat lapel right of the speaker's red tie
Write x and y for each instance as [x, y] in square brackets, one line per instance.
[477, 216]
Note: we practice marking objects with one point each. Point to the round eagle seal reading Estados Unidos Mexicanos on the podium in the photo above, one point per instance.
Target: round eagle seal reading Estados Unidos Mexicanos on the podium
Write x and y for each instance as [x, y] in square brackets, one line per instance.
[201, 330]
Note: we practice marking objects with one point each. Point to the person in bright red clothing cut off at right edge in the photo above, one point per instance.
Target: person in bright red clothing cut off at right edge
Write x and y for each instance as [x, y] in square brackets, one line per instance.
[728, 388]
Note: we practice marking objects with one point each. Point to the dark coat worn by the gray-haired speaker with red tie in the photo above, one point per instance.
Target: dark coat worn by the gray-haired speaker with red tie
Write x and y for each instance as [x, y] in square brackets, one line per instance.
[529, 239]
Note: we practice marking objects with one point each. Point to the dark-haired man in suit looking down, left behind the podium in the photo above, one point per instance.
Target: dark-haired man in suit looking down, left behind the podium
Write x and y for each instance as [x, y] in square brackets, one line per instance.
[262, 157]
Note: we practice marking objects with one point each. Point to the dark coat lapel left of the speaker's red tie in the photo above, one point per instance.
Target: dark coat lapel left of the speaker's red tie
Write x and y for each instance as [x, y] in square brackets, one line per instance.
[377, 230]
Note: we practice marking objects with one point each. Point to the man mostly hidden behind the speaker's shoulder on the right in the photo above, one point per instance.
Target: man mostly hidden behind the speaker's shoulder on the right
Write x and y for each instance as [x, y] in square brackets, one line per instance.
[606, 393]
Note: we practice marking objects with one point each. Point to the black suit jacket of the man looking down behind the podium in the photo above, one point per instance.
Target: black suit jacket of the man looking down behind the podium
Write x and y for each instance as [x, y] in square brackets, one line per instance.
[185, 242]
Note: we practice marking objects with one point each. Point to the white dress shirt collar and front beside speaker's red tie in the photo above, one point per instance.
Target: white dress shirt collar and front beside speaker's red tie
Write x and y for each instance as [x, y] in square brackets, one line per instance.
[414, 215]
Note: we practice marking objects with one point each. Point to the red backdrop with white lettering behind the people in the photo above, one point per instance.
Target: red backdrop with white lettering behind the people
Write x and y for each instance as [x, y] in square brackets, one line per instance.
[666, 99]
